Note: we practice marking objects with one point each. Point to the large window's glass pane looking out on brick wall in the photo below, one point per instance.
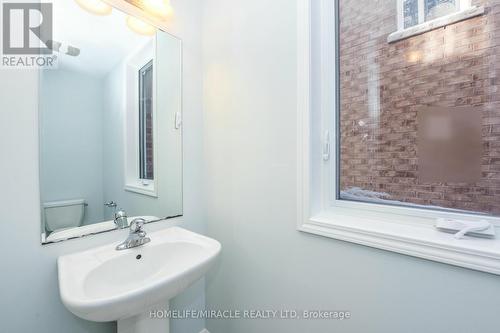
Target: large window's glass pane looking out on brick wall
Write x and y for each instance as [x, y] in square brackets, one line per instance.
[419, 119]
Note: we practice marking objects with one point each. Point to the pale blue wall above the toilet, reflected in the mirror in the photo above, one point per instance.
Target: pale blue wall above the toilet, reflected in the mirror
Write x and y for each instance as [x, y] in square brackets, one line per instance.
[71, 112]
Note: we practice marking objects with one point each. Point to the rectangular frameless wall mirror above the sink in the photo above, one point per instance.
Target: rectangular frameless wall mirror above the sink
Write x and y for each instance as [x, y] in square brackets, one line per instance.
[110, 124]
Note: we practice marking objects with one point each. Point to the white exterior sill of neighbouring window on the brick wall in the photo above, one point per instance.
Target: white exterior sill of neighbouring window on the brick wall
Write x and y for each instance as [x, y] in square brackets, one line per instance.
[434, 24]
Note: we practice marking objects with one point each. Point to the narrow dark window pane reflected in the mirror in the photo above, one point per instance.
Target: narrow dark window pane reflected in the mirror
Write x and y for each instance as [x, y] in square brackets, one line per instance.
[146, 165]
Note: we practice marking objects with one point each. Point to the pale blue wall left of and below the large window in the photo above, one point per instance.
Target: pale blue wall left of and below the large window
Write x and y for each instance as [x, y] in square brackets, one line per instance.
[250, 143]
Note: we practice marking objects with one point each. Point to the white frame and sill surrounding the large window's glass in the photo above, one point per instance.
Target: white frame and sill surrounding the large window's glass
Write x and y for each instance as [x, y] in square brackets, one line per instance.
[404, 230]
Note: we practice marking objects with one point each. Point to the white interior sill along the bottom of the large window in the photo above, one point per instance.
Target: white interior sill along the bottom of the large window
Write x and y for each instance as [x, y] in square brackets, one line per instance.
[411, 237]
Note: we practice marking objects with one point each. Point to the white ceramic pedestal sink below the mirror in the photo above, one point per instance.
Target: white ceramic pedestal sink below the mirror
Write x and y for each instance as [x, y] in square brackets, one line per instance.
[104, 284]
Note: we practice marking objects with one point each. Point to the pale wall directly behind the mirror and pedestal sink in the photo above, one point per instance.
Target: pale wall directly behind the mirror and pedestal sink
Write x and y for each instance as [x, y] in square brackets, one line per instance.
[29, 299]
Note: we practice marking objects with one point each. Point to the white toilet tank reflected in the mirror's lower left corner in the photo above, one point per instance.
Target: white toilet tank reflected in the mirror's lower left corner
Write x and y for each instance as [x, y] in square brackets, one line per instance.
[64, 214]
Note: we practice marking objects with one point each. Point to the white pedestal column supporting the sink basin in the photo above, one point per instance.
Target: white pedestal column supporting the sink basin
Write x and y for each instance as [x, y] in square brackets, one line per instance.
[153, 321]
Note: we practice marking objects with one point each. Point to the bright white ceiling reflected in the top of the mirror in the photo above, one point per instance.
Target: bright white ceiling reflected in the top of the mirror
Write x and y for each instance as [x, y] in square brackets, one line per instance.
[103, 40]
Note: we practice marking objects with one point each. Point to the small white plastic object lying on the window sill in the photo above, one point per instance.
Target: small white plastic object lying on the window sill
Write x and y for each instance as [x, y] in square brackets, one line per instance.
[462, 228]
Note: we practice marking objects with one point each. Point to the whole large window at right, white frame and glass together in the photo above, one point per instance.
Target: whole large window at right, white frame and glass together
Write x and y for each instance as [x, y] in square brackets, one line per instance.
[395, 136]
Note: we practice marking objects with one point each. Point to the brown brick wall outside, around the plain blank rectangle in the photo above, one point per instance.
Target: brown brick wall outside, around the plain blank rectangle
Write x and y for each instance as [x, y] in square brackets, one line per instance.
[383, 86]
